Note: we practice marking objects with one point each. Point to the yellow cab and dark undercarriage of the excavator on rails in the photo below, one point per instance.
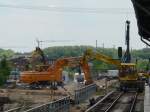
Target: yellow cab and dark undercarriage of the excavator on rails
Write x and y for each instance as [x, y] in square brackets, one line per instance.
[129, 79]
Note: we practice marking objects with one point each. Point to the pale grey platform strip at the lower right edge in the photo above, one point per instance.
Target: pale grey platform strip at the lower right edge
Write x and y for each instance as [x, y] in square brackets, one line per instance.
[147, 99]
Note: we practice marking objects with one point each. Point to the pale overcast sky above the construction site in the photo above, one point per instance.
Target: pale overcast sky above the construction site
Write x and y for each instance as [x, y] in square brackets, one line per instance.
[67, 22]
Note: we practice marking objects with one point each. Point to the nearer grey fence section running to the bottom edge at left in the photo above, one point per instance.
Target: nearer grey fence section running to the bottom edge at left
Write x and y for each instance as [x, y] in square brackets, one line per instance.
[62, 105]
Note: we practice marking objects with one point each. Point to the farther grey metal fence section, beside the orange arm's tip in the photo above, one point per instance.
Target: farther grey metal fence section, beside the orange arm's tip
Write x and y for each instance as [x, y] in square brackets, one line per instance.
[84, 93]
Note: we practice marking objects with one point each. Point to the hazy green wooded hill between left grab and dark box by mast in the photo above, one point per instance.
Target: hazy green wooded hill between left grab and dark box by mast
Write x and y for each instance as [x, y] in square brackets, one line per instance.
[68, 51]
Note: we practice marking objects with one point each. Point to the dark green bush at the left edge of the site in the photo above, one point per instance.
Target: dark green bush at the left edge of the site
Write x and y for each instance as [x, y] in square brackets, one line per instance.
[4, 70]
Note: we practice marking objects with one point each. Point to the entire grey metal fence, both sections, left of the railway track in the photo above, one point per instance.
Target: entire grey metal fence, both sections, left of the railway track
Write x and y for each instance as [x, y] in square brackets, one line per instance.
[63, 105]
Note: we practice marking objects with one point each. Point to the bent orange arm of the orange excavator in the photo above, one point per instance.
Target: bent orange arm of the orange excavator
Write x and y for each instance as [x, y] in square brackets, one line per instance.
[71, 62]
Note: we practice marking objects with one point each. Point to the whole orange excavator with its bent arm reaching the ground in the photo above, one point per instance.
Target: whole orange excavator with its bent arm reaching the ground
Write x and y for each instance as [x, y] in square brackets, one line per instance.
[52, 75]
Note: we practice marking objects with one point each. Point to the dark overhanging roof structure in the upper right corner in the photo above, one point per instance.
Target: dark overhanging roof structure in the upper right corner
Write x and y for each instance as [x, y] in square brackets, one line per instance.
[142, 11]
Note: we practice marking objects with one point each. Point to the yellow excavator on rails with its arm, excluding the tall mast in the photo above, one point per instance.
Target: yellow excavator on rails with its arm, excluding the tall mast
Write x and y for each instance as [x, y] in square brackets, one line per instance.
[128, 76]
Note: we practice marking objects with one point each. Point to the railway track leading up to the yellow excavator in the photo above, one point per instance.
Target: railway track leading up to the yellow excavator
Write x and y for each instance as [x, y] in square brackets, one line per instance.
[116, 102]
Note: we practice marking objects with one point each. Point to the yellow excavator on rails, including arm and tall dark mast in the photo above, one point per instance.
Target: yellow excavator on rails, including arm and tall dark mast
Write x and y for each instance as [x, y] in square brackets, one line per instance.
[128, 75]
